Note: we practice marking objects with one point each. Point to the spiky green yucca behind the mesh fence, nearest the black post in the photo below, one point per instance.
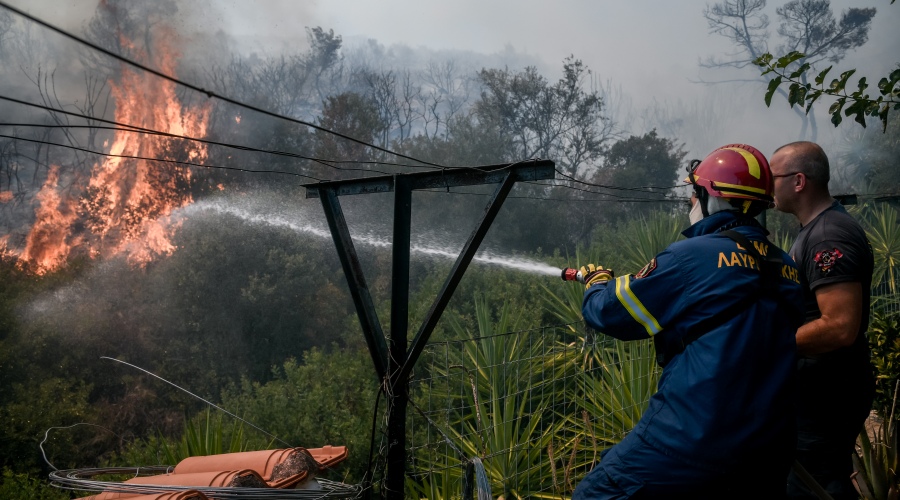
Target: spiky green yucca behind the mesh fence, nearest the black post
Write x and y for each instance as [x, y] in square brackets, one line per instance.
[504, 412]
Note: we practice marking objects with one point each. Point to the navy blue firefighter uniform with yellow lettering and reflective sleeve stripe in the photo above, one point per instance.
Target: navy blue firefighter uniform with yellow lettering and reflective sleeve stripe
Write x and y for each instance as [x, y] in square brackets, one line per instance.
[723, 414]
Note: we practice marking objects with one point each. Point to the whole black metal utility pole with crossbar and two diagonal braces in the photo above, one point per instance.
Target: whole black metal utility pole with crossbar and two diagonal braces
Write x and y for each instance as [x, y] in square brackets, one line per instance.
[394, 362]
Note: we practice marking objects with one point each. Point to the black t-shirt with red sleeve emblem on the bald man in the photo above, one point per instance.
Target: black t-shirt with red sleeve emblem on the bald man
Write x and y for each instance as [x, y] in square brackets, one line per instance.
[833, 248]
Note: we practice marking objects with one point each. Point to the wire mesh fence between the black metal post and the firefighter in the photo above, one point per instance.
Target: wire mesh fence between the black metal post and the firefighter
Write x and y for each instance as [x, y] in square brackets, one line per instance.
[536, 407]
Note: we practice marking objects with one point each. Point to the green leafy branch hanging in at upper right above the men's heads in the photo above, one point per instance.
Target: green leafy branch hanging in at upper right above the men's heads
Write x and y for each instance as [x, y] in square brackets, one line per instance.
[857, 103]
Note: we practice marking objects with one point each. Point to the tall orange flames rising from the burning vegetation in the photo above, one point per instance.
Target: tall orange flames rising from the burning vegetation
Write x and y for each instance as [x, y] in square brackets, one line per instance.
[126, 206]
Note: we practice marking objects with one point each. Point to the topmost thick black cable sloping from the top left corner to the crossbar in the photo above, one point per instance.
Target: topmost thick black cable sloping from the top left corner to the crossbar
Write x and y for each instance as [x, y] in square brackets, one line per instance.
[210, 94]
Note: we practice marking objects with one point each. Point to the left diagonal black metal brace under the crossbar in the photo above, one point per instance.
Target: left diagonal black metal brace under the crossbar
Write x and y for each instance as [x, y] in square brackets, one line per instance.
[359, 291]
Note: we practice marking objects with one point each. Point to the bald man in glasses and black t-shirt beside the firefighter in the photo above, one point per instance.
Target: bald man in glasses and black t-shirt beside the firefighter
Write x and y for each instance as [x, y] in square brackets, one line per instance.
[835, 380]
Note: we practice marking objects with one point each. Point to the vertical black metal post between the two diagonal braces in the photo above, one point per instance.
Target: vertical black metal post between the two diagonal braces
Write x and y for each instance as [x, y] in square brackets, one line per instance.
[398, 397]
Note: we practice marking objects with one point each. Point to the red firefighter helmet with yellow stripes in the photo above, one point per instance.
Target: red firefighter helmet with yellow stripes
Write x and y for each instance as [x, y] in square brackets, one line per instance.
[734, 171]
